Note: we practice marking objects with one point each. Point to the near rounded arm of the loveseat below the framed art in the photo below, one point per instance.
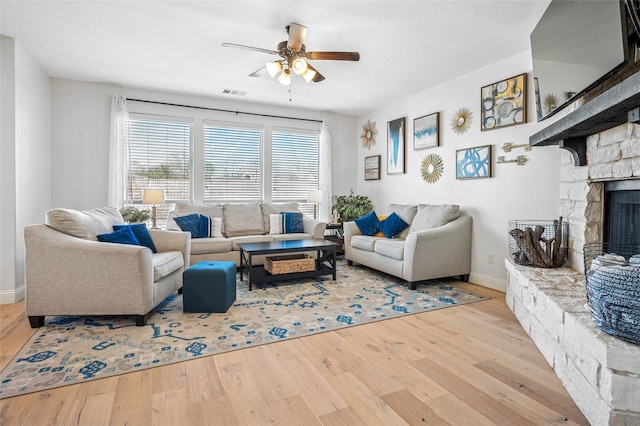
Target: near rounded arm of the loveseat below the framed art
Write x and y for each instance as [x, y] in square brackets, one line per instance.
[439, 252]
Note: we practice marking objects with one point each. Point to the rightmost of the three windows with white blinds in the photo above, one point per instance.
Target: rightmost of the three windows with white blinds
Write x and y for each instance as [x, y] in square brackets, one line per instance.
[295, 166]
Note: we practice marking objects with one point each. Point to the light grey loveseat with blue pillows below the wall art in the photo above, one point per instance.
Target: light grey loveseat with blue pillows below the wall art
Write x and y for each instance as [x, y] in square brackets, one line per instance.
[437, 244]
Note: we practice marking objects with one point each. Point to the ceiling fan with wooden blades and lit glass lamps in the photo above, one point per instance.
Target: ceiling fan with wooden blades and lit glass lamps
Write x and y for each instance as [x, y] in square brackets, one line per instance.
[295, 57]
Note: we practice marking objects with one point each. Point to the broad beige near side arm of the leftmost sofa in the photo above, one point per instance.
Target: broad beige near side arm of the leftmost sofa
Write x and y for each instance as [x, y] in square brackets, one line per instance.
[69, 275]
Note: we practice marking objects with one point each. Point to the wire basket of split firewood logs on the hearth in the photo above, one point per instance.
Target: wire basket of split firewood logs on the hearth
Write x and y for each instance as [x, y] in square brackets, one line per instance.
[539, 243]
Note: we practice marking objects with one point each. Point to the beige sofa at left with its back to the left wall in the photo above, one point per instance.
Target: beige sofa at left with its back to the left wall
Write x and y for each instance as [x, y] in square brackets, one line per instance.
[69, 272]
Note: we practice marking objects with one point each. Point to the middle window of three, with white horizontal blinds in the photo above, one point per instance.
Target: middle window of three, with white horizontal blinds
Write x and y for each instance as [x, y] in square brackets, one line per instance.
[232, 164]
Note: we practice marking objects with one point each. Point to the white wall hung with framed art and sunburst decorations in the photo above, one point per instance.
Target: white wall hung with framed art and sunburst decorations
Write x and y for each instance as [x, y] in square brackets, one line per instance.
[514, 192]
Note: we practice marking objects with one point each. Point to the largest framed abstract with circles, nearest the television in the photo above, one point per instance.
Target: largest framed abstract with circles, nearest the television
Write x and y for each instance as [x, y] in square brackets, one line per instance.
[504, 103]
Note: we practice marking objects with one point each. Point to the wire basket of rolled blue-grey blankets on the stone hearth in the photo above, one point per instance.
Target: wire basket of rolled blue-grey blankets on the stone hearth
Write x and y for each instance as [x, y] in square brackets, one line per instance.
[613, 288]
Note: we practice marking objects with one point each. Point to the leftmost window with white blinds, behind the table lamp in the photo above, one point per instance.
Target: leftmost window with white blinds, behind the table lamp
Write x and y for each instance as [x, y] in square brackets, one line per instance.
[160, 156]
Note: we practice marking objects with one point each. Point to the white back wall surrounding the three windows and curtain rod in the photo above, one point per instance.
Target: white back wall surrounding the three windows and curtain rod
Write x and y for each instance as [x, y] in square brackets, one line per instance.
[81, 125]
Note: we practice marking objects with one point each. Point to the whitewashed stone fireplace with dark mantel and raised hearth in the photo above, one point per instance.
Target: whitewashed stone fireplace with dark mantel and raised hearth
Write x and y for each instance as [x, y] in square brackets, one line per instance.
[600, 372]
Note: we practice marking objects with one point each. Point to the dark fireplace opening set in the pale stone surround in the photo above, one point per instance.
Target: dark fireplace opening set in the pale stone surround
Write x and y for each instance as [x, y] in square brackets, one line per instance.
[622, 214]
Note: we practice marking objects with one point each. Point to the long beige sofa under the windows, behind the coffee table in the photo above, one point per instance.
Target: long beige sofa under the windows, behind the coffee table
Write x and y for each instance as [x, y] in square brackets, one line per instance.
[240, 223]
